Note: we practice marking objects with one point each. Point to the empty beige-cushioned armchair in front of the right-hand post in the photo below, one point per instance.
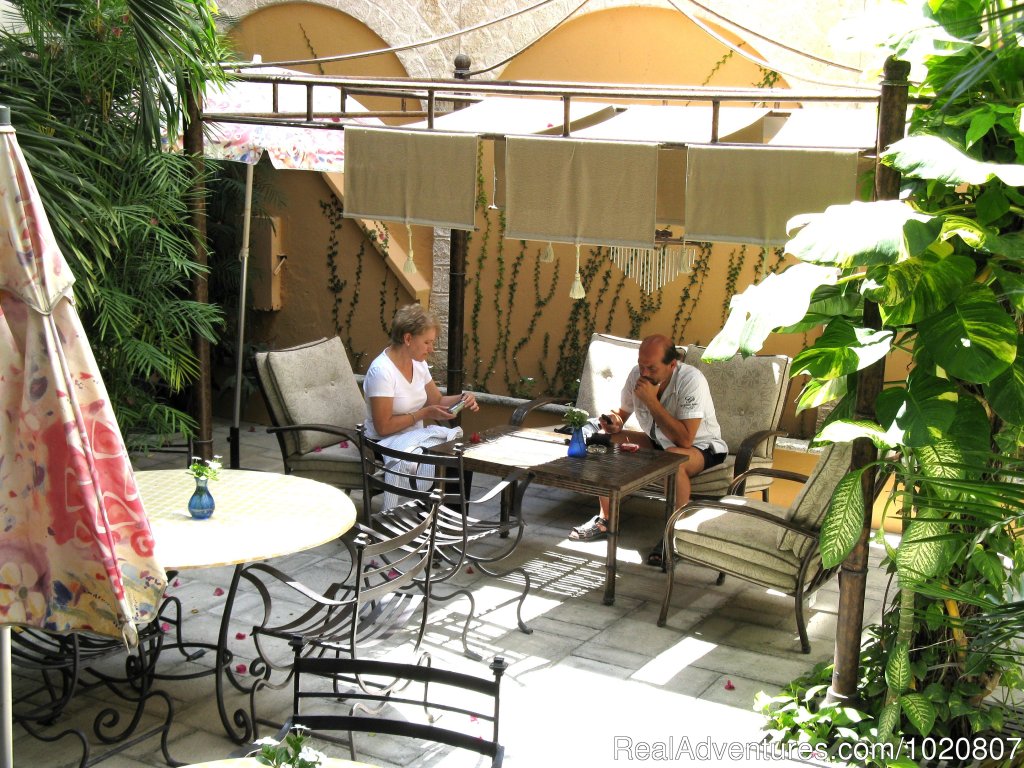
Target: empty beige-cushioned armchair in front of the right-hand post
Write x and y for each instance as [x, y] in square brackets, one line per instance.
[765, 544]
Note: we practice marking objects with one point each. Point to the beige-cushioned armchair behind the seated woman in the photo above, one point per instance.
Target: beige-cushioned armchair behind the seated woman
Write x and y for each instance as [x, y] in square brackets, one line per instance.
[315, 405]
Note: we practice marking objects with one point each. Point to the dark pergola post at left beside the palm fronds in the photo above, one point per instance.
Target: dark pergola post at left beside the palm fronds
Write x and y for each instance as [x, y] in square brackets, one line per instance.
[203, 392]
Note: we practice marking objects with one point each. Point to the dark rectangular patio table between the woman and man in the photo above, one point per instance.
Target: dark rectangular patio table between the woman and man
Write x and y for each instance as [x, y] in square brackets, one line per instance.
[615, 474]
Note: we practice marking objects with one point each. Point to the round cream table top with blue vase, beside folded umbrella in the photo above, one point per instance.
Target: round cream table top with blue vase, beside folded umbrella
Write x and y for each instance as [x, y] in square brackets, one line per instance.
[260, 516]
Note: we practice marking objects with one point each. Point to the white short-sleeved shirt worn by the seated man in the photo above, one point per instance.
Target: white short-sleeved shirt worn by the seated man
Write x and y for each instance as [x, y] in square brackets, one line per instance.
[687, 397]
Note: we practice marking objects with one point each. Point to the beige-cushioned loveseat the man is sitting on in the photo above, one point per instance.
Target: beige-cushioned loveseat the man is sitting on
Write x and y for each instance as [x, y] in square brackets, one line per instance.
[749, 396]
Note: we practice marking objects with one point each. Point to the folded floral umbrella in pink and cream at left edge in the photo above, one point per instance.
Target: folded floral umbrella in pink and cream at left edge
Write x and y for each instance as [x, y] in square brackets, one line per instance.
[76, 548]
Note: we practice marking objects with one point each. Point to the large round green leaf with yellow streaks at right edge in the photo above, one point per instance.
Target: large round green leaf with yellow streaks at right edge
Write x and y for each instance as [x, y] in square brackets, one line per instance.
[973, 339]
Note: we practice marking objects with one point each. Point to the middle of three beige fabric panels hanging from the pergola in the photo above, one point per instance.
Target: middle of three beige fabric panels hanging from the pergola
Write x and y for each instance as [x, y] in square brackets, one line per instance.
[563, 191]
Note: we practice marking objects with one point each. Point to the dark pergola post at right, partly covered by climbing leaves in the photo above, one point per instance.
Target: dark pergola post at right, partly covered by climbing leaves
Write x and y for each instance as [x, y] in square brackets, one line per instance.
[854, 573]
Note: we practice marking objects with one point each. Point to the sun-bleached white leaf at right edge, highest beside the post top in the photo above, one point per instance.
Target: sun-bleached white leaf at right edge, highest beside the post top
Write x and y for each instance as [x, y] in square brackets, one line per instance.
[934, 158]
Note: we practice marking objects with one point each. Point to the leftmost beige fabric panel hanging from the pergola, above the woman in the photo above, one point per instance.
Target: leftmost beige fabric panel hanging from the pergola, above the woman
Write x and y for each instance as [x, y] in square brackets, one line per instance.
[411, 177]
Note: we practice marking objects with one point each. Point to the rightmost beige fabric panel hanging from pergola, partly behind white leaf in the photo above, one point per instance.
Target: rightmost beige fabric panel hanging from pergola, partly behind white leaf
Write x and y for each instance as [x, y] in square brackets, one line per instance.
[748, 195]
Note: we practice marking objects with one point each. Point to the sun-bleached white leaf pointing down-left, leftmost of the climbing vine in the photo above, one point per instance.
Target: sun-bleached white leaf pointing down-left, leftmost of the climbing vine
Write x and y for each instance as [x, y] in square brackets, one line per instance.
[779, 301]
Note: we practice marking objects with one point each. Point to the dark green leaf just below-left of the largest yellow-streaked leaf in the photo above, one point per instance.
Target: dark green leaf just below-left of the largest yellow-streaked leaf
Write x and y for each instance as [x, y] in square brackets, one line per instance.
[924, 410]
